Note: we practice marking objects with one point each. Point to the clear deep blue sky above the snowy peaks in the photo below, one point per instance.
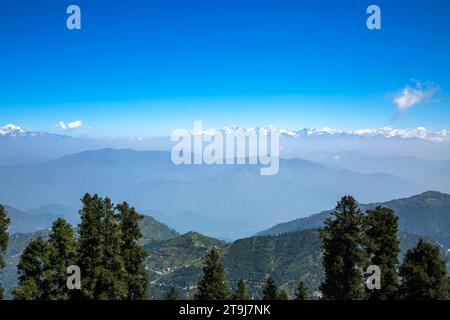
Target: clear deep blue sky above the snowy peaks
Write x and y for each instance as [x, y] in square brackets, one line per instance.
[142, 68]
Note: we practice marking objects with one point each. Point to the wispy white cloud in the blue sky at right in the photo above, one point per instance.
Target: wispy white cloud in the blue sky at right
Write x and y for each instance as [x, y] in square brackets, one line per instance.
[411, 96]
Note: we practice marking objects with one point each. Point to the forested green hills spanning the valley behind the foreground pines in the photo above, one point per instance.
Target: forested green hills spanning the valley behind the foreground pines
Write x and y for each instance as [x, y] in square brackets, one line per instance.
[176, 260]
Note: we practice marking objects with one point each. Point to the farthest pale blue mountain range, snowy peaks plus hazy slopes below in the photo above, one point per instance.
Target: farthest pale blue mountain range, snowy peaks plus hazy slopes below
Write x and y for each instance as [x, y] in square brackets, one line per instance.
[18, 143]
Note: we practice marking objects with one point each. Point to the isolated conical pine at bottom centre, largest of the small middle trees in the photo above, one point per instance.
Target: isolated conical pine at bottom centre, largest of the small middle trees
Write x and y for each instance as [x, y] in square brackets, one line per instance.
[213, 285]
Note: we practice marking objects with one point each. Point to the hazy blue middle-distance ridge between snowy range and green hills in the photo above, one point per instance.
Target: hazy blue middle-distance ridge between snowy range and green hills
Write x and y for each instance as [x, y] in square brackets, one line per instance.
[237, 193]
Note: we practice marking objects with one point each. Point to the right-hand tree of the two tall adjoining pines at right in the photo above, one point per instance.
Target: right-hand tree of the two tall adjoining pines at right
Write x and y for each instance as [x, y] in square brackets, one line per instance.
[383, 248]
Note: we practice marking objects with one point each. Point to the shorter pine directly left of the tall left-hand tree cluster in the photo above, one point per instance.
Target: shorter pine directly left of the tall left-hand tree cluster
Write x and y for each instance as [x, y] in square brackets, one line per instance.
[62, 254]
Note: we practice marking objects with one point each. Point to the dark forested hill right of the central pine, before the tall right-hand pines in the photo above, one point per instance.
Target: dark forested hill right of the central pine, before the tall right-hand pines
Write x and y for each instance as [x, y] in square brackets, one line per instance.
[288, 258]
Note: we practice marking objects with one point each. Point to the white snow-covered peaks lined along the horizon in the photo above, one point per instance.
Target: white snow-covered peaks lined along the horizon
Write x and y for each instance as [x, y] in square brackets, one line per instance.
[443, 135]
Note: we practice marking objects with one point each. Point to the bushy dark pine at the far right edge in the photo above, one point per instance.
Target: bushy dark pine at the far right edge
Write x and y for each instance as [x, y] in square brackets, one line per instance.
[424, 274]
